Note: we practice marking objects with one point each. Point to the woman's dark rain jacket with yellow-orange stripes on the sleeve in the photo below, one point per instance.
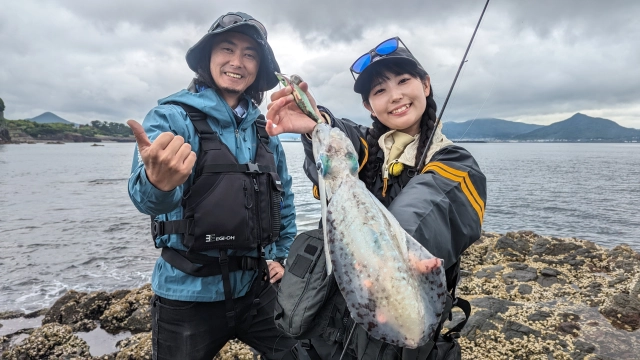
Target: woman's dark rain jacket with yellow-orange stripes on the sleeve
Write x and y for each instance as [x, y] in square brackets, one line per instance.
[441, 208]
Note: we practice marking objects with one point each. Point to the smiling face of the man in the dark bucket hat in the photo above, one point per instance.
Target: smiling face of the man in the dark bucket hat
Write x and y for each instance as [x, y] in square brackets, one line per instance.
[234, 63]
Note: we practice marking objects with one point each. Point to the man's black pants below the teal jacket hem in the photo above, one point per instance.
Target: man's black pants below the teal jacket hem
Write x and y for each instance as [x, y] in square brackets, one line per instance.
[198, 330]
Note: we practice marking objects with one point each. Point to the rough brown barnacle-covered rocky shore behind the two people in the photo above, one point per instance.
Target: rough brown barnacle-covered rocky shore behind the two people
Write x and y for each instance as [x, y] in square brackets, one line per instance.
[532, 296]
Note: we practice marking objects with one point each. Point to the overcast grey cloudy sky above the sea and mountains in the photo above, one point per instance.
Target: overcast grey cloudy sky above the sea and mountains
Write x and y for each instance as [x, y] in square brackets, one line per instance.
[535, 61]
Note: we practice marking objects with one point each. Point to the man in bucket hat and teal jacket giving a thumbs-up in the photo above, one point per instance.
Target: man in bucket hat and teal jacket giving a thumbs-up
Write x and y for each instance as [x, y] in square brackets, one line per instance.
[219, 194]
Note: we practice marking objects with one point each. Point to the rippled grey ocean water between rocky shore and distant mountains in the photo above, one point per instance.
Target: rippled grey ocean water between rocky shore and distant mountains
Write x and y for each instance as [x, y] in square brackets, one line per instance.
[66, 220]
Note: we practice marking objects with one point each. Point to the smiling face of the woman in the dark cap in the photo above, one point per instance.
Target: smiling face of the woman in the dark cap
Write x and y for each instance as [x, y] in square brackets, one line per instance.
[399, 102]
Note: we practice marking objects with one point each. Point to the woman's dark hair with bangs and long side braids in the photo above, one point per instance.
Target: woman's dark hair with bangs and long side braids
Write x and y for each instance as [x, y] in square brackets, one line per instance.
[427, 123]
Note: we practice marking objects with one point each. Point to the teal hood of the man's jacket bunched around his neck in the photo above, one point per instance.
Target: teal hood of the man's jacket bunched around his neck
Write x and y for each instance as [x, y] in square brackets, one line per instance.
[209, 102]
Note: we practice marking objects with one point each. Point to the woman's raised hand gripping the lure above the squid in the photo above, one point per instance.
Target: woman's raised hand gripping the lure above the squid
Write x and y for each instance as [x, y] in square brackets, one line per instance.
[284, 113]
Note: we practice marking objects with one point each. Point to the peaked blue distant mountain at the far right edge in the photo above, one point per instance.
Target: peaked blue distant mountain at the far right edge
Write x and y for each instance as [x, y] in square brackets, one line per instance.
[581, 127]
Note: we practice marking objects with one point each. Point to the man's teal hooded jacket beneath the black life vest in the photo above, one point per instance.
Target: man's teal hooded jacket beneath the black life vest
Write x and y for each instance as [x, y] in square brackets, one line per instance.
[242, 140]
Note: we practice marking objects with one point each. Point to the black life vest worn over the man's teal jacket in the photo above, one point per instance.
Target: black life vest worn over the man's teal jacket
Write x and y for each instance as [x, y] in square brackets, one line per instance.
[229, 205]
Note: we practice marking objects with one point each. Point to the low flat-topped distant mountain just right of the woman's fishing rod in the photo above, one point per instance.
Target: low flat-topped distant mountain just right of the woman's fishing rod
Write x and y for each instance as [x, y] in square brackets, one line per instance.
[486, 129]
